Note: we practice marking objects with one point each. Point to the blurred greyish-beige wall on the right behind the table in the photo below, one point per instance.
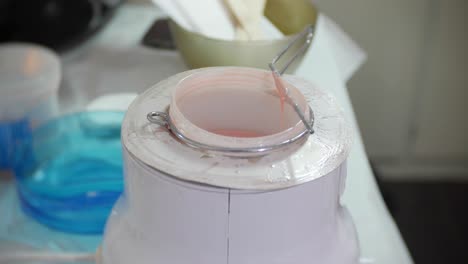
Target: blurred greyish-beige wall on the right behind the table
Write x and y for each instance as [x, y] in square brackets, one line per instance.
[410, 96]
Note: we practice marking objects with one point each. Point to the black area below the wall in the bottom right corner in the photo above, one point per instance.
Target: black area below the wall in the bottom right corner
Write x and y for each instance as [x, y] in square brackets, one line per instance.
[432, 218]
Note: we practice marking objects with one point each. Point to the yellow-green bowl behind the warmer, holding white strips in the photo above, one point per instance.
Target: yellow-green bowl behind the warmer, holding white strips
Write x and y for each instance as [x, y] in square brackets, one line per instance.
[289, 16]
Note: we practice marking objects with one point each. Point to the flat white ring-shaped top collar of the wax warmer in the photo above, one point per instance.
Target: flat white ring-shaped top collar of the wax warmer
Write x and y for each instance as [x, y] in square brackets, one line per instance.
[322, 152]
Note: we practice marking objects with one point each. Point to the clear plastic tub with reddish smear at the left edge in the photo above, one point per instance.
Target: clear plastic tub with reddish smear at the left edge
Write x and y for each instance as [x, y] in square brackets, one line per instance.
[30, 77]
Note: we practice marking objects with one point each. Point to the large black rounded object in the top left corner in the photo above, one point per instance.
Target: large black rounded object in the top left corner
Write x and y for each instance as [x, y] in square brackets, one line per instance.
[58, 24]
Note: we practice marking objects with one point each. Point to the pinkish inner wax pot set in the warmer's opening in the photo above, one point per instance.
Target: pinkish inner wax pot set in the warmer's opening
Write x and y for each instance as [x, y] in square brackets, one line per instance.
[238, 103]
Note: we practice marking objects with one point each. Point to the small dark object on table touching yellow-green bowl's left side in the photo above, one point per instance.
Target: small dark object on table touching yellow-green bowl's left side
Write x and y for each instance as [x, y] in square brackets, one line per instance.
[159, 35]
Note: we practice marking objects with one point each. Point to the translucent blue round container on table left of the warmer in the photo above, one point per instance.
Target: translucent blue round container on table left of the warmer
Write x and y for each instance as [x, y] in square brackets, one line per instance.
[70, 173]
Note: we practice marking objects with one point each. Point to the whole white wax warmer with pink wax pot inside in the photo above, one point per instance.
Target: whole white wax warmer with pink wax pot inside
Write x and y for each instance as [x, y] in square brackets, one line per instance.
[194, 193]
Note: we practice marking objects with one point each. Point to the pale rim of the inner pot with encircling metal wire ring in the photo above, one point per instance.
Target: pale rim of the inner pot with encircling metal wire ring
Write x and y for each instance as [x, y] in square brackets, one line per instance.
[201, 138]
